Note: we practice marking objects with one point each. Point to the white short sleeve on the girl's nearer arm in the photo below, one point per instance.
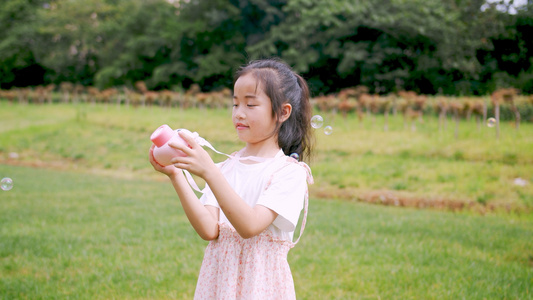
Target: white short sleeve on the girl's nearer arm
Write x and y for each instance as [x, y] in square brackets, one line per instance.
[285, 195]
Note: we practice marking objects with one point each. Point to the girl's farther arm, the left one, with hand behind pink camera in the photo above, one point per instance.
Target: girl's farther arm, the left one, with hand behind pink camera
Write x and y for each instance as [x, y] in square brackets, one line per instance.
[204, 219]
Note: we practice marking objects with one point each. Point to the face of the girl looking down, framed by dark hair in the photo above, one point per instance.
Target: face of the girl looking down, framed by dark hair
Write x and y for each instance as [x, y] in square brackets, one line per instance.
[252, 112]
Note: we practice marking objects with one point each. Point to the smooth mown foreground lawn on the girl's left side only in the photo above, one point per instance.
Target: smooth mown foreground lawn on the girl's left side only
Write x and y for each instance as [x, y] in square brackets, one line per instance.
[71, 235]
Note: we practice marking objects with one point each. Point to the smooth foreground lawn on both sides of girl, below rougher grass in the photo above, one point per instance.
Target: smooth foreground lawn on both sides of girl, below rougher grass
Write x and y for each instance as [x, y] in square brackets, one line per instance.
[73, 235]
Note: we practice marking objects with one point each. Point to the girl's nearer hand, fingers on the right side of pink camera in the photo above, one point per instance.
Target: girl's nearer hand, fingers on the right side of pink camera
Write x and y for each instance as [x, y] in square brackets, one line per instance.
[197, 160]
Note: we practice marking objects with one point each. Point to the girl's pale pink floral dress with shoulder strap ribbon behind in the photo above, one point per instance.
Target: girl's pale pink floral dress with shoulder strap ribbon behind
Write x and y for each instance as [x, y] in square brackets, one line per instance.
[254, 268]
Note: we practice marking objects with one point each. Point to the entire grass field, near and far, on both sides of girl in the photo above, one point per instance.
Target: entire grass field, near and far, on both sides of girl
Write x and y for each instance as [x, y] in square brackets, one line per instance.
[88, 218]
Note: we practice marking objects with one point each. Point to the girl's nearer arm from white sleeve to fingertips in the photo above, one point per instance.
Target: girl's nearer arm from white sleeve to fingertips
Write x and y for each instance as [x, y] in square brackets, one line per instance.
[247, 221]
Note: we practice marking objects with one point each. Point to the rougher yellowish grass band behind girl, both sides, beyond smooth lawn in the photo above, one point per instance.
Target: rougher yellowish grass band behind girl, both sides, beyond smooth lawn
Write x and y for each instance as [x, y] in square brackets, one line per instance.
[357, 159]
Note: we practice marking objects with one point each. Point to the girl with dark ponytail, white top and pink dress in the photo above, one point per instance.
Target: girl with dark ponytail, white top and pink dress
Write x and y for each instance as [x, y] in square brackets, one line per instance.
[252, 201]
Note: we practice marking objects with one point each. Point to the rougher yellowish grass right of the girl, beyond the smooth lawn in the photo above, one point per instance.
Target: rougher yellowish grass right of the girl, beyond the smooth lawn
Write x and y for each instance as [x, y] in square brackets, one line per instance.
[429, 163]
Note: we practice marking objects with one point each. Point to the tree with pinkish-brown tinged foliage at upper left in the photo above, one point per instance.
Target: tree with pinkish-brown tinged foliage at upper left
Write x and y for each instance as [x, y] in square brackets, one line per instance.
[70, 36]
